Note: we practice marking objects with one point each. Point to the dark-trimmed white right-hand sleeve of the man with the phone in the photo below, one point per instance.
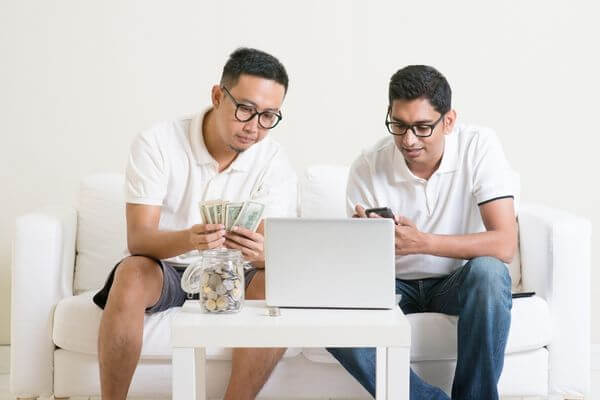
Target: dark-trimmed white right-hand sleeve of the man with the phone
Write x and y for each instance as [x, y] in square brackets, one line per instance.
[492, 176]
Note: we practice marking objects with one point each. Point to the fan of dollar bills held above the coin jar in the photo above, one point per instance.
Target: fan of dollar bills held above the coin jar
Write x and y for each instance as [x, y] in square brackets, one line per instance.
[246, 214]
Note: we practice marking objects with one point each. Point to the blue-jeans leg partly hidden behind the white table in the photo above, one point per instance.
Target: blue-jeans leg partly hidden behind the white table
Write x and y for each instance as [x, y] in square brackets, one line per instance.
[360, 362]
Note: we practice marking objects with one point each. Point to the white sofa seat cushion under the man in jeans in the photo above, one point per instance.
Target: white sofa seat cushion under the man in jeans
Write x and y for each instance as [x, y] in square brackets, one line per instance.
[434, 335]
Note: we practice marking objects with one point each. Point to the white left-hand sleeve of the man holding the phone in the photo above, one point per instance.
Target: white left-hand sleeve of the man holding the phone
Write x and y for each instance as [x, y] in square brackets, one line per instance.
[359, 189]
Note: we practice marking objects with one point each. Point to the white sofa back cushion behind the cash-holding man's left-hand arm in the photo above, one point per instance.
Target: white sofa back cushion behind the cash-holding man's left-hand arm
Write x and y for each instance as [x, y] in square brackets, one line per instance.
[101, 231]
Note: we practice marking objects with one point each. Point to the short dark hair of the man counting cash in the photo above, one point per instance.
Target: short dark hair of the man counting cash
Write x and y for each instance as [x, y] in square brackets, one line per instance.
[253, 62]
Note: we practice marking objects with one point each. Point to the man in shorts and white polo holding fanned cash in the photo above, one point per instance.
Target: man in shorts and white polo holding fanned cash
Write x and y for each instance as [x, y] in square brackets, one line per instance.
[225, 155]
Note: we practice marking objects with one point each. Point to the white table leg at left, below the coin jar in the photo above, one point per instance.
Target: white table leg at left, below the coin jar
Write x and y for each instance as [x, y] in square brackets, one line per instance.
[189, 373]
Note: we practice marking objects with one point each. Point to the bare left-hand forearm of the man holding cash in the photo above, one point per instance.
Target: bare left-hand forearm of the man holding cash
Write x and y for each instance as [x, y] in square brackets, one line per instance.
[159, 244]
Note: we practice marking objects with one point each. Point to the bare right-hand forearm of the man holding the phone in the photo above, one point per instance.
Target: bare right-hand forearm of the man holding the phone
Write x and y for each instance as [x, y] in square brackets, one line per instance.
[497, 244]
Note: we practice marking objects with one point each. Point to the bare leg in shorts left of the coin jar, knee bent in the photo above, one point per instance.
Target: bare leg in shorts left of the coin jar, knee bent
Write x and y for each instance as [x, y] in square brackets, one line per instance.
[137, 285]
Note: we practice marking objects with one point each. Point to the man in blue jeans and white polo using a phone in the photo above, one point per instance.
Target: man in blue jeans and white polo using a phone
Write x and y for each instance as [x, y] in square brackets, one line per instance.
[450, 188]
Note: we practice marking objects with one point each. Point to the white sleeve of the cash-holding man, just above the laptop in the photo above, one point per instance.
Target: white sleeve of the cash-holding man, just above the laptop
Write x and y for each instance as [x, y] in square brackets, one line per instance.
[278, 189]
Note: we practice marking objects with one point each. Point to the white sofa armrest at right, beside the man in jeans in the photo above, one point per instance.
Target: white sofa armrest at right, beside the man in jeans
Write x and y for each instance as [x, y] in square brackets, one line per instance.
[555, 259]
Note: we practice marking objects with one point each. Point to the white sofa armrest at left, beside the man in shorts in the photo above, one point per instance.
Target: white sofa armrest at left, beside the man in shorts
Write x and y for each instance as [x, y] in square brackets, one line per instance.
[42, 274]
